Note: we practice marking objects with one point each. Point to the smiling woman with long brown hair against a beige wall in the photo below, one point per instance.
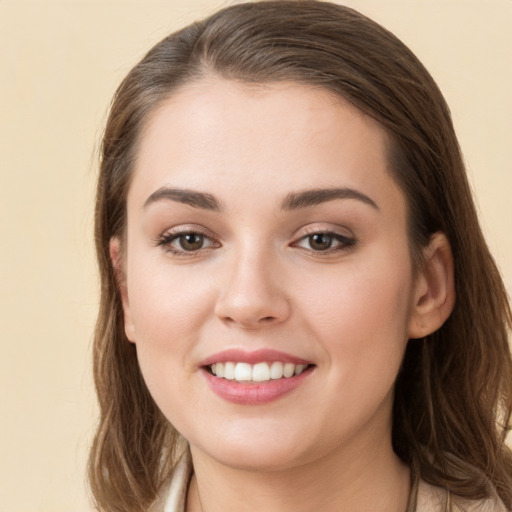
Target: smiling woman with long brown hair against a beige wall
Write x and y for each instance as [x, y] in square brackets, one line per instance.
[298, 309]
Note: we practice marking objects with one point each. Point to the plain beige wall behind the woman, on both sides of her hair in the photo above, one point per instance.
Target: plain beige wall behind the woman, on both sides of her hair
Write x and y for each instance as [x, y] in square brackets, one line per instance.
[60, 62]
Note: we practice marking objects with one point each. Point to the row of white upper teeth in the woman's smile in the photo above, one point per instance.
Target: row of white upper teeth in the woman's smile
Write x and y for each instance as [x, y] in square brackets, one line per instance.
[261, 372]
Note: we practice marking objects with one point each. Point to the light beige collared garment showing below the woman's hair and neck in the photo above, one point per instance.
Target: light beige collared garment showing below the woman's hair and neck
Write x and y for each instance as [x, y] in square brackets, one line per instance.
[428, 498]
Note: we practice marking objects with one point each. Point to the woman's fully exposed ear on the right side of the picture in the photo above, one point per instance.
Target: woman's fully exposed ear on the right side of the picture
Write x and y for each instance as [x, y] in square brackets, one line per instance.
[434, 292]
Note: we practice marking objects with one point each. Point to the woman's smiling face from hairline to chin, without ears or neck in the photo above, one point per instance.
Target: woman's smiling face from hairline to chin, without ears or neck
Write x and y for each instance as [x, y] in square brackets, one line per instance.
[266, 235]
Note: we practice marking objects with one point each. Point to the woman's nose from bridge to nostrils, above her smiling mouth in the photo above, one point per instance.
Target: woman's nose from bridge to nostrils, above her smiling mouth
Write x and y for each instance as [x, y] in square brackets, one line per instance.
[252, 293]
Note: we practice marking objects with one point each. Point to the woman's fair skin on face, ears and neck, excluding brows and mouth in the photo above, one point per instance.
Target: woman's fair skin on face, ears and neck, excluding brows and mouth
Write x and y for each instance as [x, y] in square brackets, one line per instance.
[258, 283]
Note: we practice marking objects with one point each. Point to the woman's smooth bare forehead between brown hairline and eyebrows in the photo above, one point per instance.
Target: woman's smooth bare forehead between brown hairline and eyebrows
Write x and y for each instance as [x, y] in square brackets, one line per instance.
[230, 137]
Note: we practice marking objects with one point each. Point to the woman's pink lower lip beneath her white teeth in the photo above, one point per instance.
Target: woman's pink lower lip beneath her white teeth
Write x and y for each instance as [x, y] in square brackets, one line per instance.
[254, 393]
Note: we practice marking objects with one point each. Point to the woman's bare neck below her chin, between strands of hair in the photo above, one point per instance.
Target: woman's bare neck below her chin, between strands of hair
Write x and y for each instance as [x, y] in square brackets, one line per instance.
[343, 480]
